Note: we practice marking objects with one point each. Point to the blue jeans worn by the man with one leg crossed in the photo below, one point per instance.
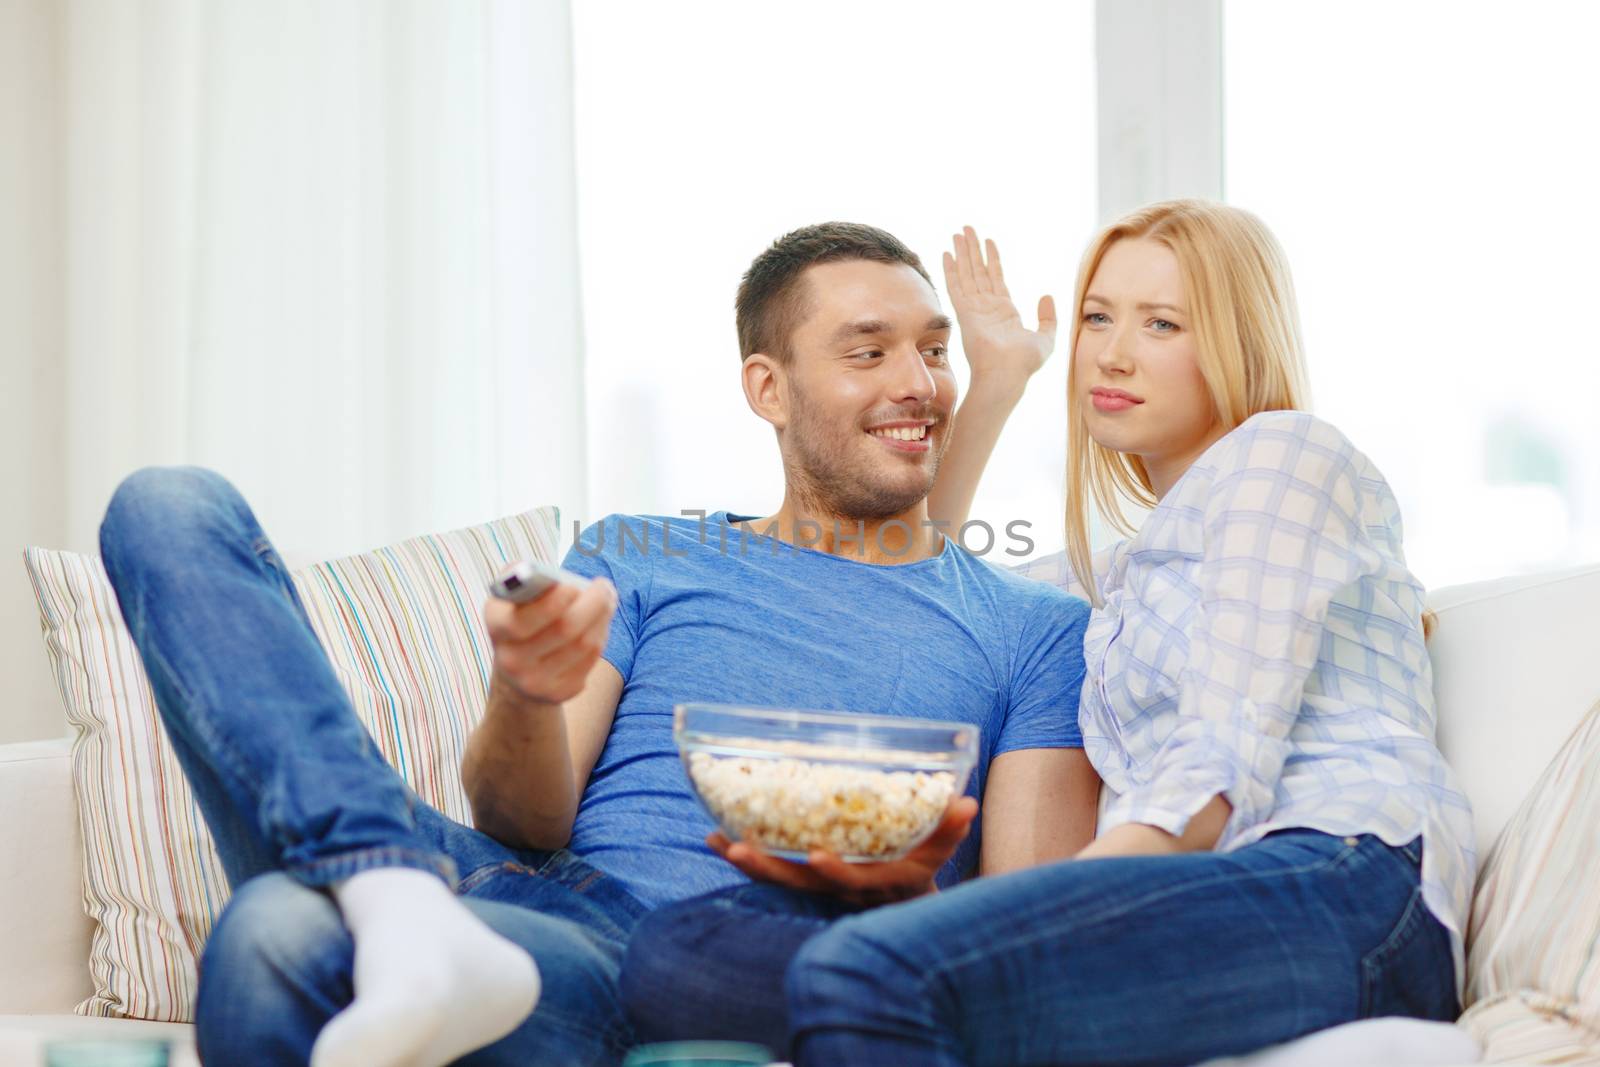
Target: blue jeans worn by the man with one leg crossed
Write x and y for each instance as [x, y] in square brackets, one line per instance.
[298, 797]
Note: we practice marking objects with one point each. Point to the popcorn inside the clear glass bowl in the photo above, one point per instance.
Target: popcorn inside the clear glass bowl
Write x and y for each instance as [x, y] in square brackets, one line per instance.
[794, 805]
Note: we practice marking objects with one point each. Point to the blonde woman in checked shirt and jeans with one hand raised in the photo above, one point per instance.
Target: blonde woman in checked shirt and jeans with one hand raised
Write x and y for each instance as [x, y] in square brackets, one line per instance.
[1282, 847]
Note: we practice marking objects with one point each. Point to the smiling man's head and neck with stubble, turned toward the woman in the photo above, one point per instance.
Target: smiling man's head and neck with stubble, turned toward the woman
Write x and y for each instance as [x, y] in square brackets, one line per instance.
[847, 354]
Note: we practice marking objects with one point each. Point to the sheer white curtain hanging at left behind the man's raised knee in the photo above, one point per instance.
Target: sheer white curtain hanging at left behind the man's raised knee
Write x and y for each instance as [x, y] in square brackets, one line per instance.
[326, 249]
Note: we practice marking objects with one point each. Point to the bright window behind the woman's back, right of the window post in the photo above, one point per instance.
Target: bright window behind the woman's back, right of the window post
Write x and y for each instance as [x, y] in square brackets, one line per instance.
[1431, 174]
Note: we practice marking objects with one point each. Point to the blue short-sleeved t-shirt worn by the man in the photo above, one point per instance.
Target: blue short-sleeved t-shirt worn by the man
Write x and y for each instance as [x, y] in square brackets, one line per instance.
[746, 620]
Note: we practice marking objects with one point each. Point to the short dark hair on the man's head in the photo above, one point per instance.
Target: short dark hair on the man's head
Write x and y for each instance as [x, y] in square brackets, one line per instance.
[769, 306]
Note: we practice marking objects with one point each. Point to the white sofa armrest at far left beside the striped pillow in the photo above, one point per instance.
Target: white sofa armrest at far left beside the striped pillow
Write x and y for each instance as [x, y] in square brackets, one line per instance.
[42, 922]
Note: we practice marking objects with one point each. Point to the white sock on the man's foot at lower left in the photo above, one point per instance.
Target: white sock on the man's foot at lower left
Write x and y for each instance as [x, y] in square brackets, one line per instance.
[433, 983]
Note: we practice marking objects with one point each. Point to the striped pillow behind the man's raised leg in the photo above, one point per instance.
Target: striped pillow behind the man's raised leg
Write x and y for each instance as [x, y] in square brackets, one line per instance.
[404, 629]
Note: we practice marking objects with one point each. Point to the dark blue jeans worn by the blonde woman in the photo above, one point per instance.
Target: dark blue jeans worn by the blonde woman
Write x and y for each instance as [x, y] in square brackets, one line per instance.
[1111, 962]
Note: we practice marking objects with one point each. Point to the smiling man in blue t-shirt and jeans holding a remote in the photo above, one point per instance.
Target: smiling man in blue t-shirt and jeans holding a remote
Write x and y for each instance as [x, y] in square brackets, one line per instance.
[370, 930]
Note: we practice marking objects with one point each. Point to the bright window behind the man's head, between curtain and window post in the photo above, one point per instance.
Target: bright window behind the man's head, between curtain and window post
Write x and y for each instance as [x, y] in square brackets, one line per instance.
[708, 130]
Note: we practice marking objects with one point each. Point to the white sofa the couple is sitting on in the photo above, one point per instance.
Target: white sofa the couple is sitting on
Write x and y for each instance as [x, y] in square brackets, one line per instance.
[1518, 663]
